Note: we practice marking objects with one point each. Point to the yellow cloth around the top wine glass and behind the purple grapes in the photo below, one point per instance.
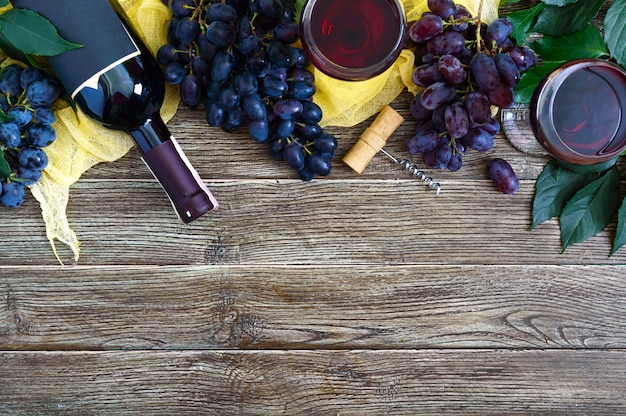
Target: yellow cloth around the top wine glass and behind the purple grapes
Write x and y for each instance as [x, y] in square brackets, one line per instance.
[348, 103]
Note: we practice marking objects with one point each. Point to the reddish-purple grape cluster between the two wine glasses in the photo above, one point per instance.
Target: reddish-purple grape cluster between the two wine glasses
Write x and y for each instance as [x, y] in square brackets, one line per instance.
[466, 67]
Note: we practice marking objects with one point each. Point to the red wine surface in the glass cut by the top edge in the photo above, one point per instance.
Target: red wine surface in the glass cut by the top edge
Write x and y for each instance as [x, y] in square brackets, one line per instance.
[355, 33]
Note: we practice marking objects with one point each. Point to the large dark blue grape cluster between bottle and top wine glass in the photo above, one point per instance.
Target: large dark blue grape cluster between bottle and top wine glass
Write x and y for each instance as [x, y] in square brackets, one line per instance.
[238, 59]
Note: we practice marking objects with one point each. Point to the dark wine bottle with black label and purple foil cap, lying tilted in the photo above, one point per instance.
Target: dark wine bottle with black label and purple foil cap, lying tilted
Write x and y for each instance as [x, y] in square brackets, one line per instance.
[114, 79]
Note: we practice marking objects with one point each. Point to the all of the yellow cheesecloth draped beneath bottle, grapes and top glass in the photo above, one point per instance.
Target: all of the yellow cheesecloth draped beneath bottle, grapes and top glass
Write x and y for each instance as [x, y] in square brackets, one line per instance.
[81, 143]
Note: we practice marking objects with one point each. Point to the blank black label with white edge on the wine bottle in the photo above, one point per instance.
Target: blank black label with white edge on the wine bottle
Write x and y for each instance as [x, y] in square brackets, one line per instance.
[84, 22]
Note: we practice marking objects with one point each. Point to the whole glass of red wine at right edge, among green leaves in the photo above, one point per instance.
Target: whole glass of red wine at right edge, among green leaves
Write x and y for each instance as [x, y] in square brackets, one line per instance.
[577, 112]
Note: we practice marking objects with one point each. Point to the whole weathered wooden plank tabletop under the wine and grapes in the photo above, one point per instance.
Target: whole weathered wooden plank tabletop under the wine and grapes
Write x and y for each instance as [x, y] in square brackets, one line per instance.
[349, 295]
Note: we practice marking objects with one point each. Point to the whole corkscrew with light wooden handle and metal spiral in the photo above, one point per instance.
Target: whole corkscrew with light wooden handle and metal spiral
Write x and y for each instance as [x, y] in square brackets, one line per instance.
[372, 141]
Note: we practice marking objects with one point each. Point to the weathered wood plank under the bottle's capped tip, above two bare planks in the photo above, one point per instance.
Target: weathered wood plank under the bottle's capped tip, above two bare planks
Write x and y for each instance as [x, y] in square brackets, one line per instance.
[326, 222]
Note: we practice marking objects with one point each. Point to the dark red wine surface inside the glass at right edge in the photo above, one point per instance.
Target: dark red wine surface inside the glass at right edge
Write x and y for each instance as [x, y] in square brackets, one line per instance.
[587, 110]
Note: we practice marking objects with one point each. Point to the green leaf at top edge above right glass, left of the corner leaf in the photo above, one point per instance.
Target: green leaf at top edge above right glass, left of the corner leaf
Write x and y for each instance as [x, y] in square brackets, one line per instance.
[558, 21]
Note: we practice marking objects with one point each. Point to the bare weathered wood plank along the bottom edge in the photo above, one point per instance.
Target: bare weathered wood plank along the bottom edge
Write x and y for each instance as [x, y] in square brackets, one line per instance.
[410, 382]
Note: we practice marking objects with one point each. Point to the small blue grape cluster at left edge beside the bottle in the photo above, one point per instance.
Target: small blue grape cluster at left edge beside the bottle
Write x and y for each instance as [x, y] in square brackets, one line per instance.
[26, 128]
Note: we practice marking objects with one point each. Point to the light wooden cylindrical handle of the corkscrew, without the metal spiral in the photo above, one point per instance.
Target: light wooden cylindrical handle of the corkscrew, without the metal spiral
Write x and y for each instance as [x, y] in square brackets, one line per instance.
[373, 139]
